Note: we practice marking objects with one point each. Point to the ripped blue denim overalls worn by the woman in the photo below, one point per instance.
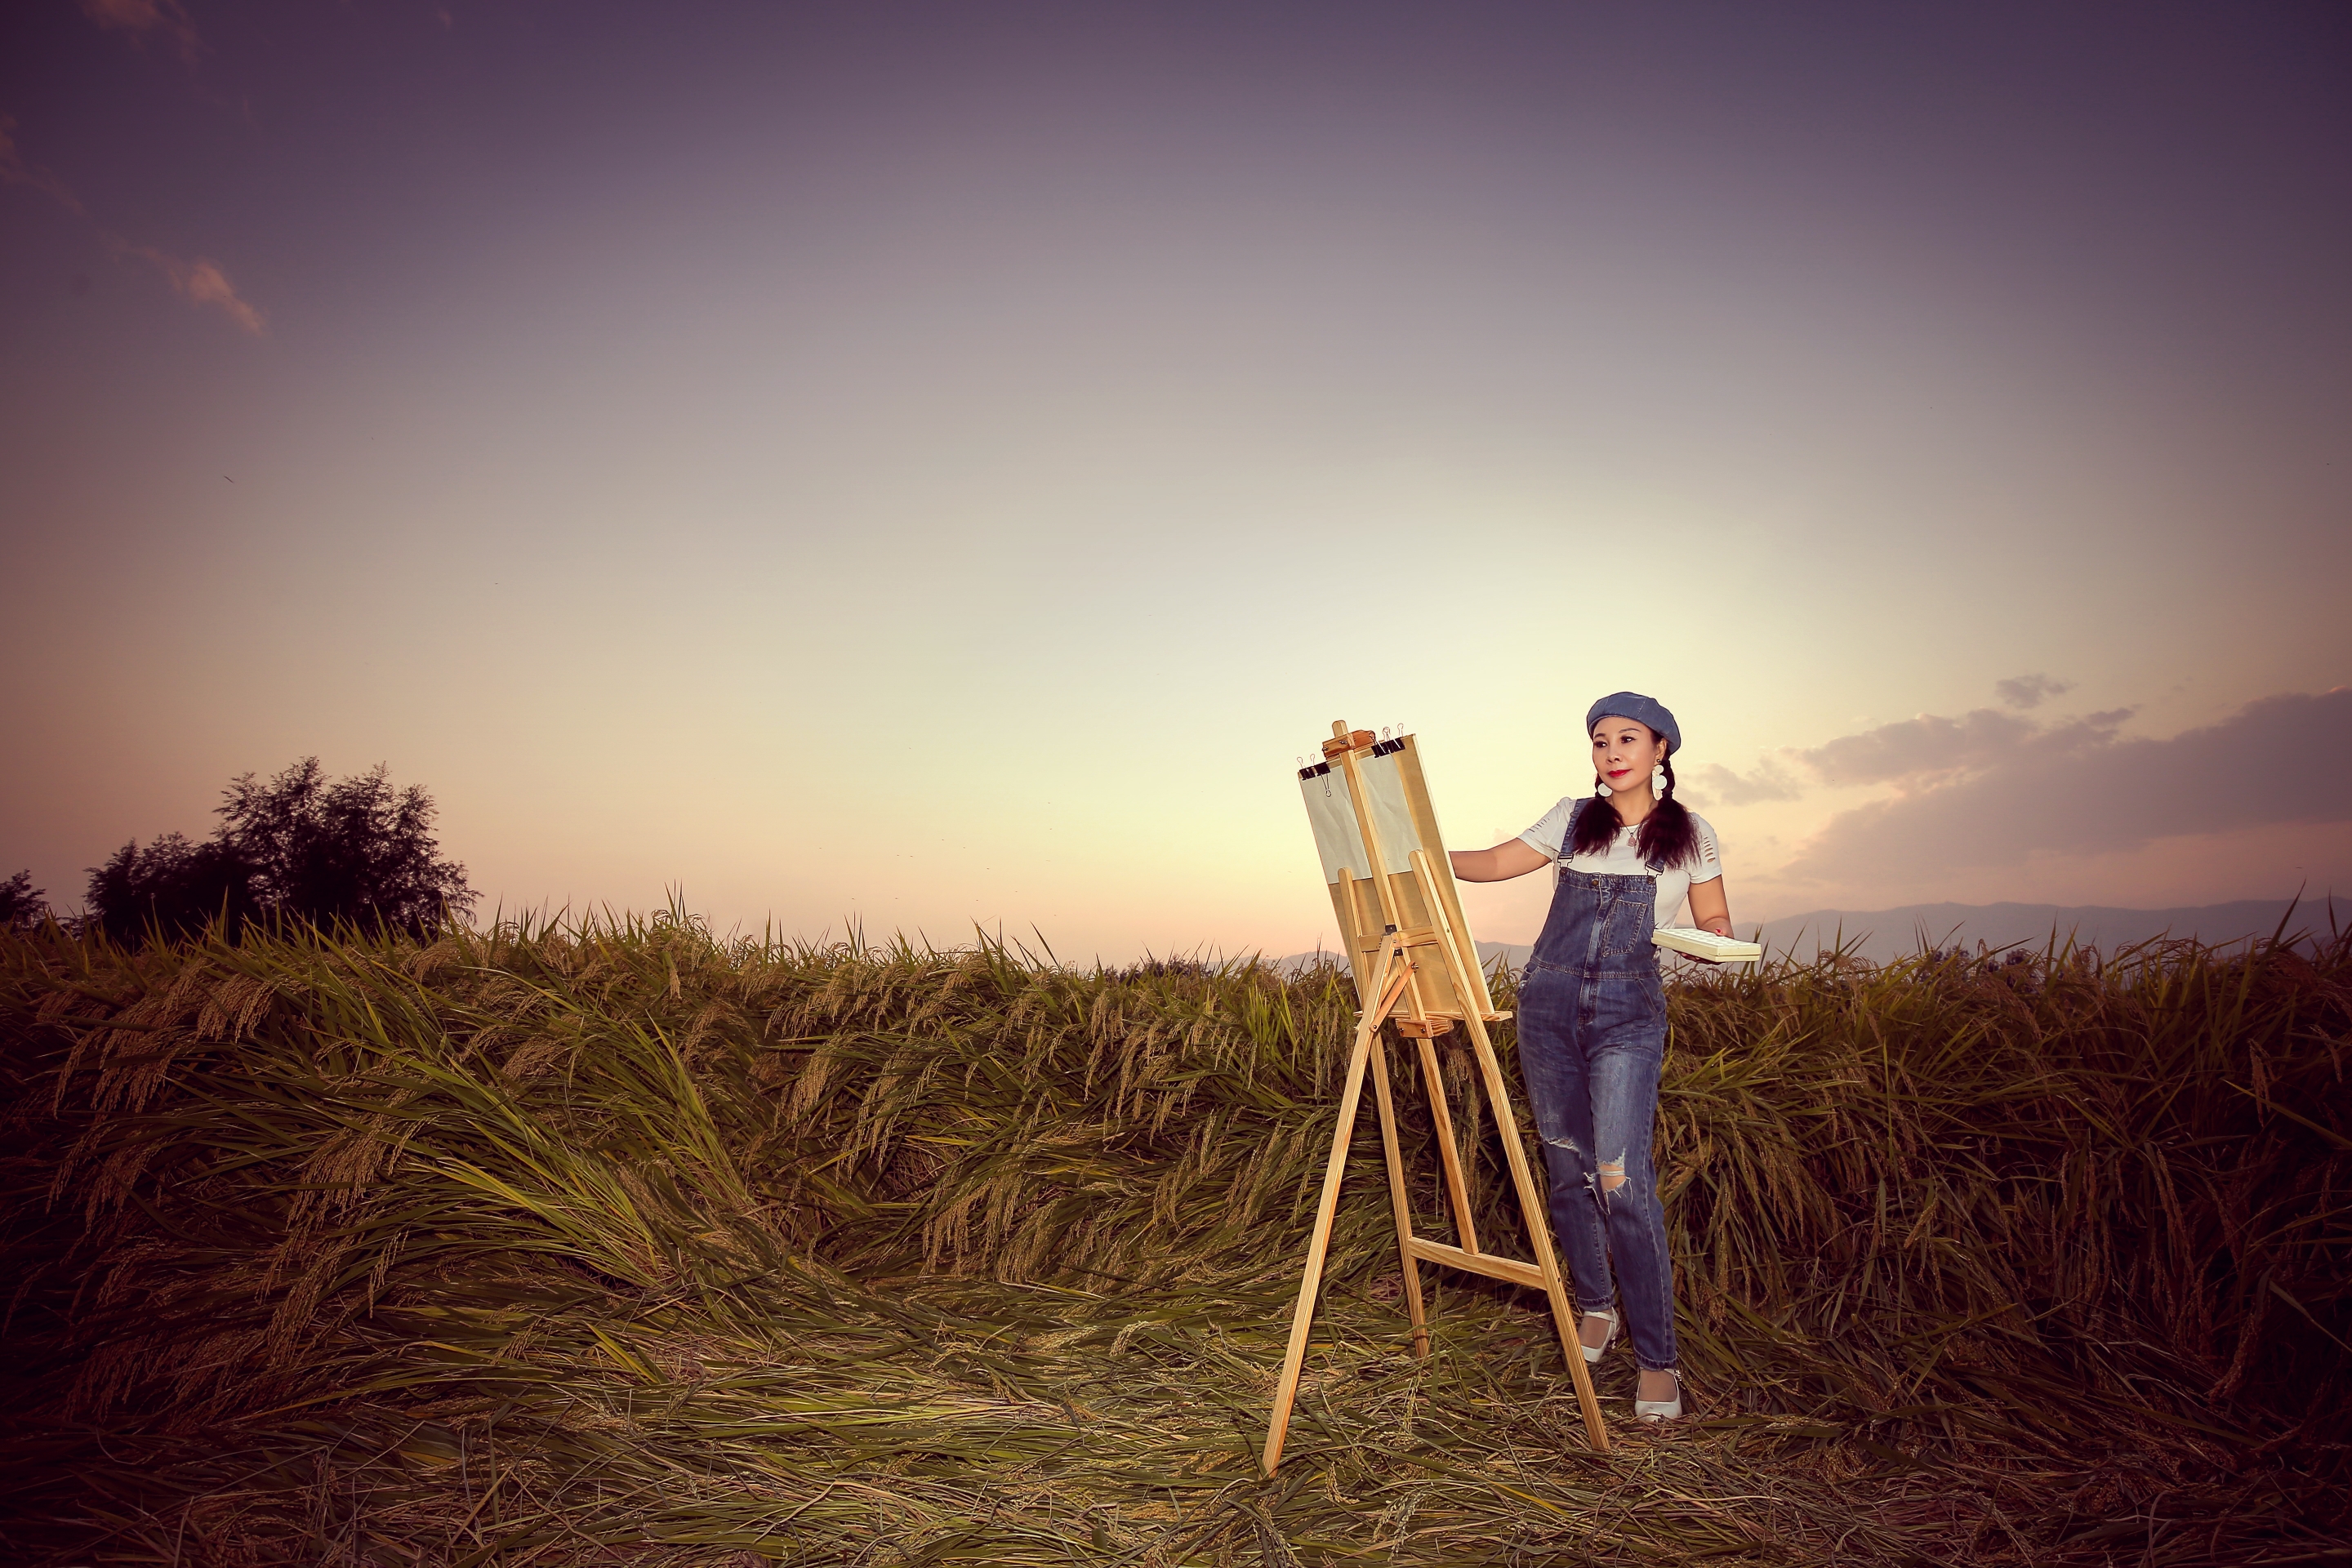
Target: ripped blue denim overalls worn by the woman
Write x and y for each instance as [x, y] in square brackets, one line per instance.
[1591, 1045]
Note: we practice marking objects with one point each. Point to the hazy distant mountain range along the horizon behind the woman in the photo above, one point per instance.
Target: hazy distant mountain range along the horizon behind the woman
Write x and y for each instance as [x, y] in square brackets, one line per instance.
[1892, 934]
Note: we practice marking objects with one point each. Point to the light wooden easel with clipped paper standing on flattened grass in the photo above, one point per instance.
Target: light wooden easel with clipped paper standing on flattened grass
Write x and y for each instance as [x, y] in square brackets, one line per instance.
[1424, 977]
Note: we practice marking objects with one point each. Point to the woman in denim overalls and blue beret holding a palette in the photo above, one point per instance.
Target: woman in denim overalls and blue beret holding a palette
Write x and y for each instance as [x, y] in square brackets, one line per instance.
[1593, 1019]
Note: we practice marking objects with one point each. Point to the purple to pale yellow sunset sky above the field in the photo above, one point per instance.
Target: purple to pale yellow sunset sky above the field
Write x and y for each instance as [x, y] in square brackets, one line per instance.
[937, 467]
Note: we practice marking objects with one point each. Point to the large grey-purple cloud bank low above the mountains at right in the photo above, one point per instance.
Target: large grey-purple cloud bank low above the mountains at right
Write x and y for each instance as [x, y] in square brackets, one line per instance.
[2080, 789]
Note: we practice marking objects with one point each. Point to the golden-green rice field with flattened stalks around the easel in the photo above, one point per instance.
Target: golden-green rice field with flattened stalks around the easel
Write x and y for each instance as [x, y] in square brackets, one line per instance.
[624, 1245]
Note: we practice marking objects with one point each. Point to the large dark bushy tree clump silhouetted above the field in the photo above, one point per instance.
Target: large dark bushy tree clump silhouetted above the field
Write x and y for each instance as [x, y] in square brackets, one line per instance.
[298, 847]
